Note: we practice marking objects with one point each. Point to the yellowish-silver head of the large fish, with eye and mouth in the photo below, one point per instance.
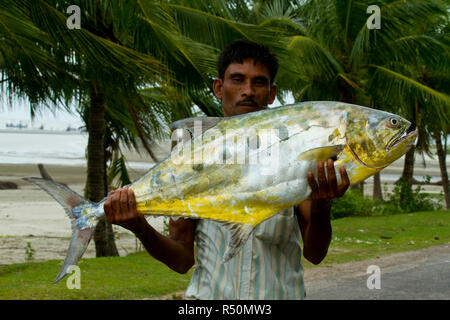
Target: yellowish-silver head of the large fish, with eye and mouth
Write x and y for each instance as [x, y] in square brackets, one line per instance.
[377, 138]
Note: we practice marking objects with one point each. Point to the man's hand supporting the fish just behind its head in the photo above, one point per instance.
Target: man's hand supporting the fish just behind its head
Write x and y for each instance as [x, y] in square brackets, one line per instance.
[328, 189]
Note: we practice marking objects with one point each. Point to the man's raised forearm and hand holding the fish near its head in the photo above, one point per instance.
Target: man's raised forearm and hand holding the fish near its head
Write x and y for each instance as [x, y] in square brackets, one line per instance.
[314, 215]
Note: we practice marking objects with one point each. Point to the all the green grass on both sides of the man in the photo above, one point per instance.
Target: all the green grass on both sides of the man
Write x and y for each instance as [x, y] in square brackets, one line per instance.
[139, 276]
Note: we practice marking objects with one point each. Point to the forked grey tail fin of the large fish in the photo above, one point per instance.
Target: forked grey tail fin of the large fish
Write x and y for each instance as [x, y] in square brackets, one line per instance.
[84, 216]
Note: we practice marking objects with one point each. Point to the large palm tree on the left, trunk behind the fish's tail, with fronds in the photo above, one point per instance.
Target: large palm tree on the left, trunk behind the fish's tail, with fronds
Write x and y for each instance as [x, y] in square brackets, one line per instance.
[104, 65]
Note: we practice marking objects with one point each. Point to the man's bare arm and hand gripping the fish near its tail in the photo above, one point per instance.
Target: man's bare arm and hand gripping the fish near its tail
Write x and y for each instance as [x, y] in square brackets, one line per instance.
[176, 251]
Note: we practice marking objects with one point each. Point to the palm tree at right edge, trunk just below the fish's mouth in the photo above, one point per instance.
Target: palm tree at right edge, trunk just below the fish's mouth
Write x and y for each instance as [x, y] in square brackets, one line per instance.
[417, 97]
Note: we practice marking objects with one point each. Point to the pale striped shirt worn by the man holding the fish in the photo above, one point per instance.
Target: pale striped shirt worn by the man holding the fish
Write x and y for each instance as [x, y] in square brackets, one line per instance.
[267, 267]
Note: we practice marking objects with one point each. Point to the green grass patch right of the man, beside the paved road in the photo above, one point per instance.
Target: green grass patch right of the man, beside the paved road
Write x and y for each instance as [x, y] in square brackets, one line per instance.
[360, 238]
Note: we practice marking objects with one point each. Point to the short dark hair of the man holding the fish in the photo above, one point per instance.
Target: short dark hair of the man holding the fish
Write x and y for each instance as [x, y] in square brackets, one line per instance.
[241, 49]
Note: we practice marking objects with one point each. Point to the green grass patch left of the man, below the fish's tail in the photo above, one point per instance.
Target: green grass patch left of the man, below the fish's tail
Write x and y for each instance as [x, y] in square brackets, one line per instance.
[135, 276]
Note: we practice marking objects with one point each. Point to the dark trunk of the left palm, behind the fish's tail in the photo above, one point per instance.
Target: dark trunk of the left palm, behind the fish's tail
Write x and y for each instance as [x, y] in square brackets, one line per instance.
[96, 180]
